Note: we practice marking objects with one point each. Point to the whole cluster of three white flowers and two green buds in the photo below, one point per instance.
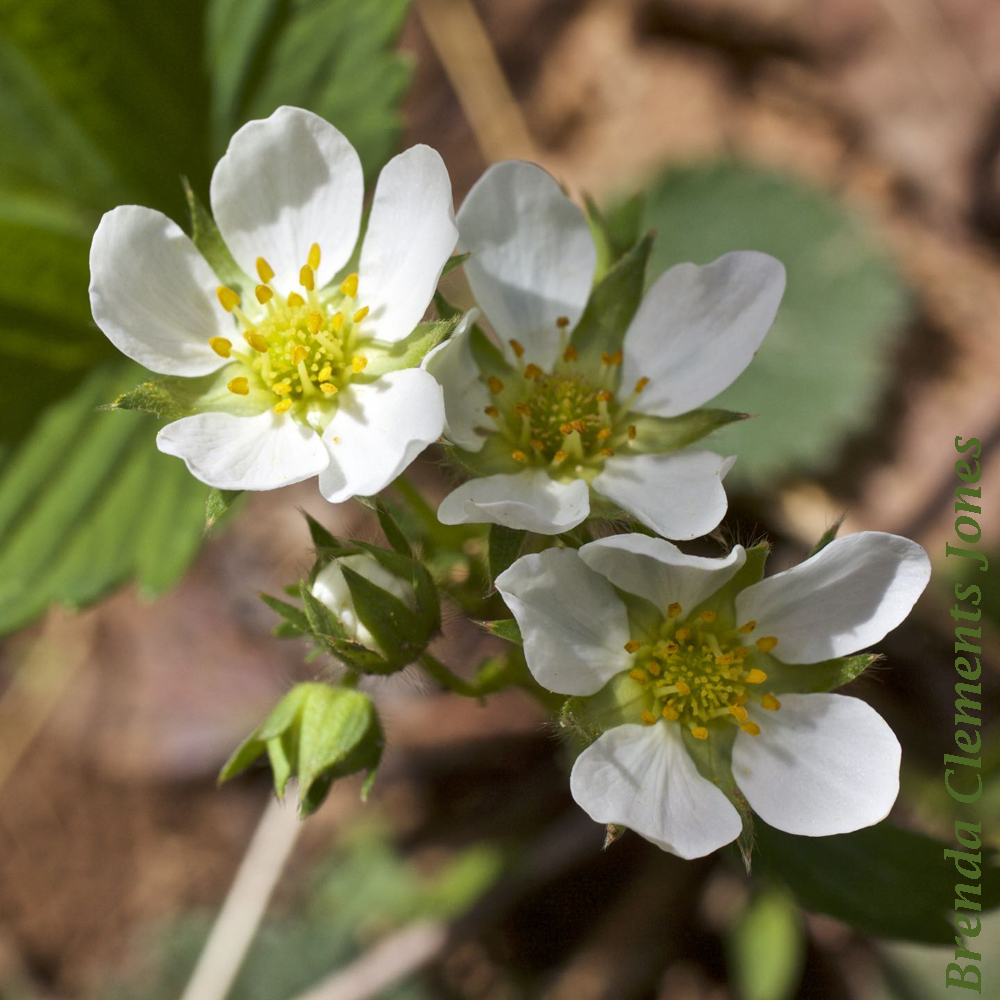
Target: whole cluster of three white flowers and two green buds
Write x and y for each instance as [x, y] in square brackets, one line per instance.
[702, 690]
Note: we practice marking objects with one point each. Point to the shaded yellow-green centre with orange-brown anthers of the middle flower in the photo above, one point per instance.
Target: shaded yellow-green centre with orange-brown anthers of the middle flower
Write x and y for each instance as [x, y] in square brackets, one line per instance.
[561, 420]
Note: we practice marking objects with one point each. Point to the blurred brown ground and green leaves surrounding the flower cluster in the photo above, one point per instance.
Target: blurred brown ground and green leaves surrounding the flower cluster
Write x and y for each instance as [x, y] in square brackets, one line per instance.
[857, 140]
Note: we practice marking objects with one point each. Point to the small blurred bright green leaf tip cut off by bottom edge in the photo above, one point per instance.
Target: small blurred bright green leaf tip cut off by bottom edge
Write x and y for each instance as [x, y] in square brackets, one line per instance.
[767, 948]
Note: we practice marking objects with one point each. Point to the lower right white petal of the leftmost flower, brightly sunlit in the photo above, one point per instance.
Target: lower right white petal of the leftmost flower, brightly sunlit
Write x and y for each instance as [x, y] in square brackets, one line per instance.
[378, 430]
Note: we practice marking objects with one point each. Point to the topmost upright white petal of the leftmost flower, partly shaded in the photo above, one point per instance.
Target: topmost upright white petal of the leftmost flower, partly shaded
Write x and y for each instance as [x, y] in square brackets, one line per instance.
[284, 183]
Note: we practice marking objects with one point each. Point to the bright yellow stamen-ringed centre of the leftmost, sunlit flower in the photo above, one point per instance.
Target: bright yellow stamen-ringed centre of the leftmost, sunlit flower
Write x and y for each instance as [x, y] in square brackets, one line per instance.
[301, 348]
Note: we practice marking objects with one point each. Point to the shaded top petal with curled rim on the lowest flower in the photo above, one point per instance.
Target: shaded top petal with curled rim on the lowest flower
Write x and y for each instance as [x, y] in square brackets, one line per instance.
[659, 571]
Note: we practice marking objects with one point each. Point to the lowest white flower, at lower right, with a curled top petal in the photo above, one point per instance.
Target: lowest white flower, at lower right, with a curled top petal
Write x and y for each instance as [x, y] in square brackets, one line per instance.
[684, 688]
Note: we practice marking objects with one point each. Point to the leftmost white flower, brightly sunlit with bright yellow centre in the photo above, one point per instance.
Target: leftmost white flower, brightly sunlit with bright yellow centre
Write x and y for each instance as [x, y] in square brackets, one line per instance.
[308, 381]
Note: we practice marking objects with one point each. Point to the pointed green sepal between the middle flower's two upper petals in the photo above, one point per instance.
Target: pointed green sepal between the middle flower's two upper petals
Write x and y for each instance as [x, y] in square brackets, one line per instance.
[610, 309]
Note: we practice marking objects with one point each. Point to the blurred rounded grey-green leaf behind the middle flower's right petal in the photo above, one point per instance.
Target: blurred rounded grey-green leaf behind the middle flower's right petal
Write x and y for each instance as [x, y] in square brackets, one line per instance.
[843, 305]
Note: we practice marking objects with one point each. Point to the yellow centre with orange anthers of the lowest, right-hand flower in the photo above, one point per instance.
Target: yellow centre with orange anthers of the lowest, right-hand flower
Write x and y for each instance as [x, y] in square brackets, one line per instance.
[700, 674]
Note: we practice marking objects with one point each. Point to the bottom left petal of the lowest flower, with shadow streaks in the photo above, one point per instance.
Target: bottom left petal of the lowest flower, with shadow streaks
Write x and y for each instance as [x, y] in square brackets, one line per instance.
[643, 778]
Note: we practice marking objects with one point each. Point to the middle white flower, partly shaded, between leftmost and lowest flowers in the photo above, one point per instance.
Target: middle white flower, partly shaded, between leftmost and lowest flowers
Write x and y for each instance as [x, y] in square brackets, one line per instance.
[551, 429]
